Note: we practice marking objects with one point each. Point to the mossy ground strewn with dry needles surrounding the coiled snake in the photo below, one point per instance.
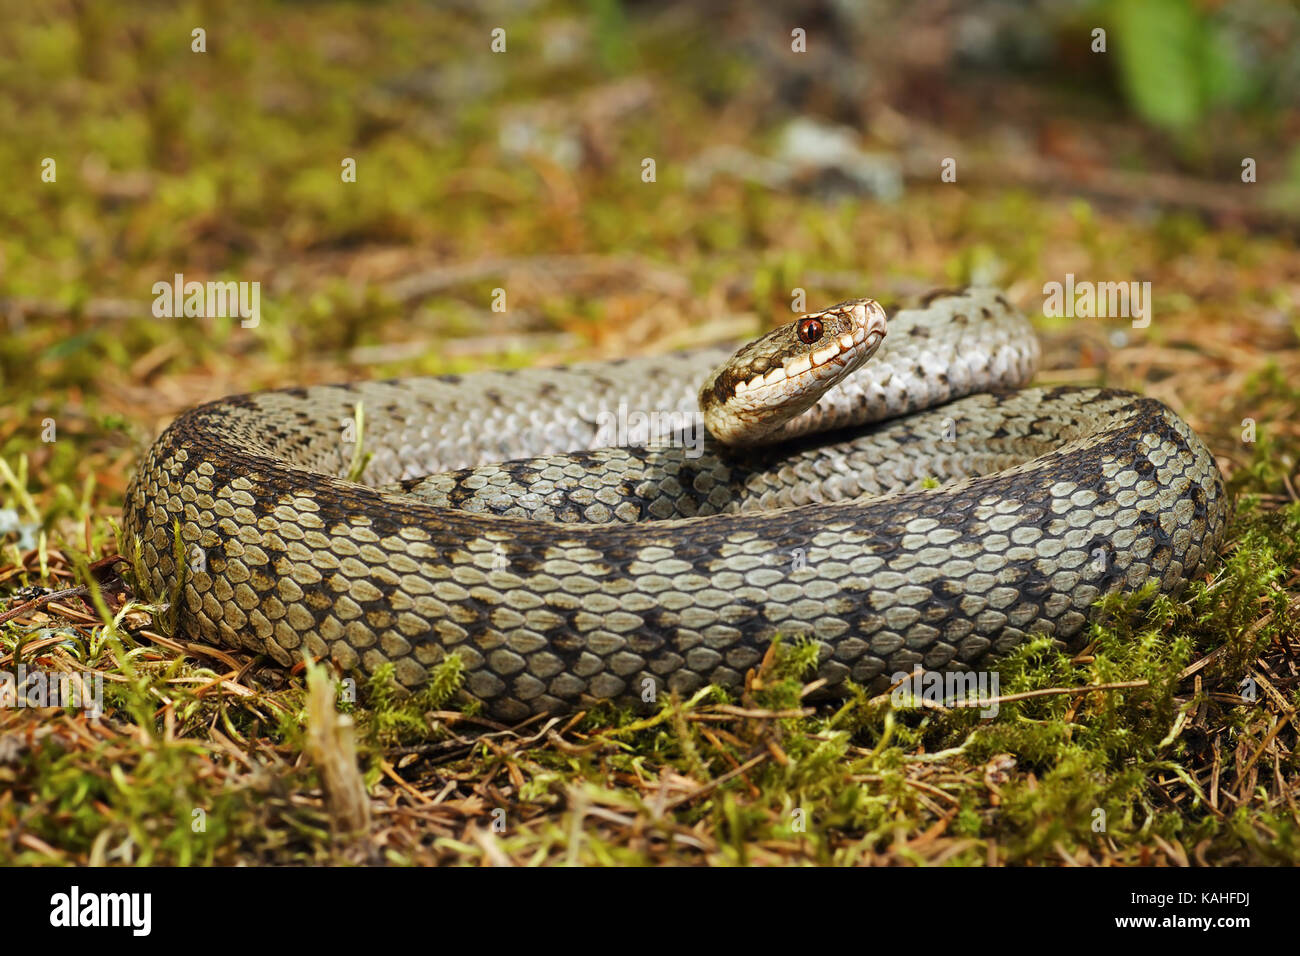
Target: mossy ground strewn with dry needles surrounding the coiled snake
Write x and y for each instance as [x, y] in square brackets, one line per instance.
[226, 166]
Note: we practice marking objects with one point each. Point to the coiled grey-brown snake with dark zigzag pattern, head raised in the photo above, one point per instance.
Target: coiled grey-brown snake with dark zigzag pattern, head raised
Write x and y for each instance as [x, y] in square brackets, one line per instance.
[885, 485]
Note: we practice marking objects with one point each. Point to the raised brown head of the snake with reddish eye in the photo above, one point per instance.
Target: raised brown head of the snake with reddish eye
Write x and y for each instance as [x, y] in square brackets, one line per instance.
[783, 374]
